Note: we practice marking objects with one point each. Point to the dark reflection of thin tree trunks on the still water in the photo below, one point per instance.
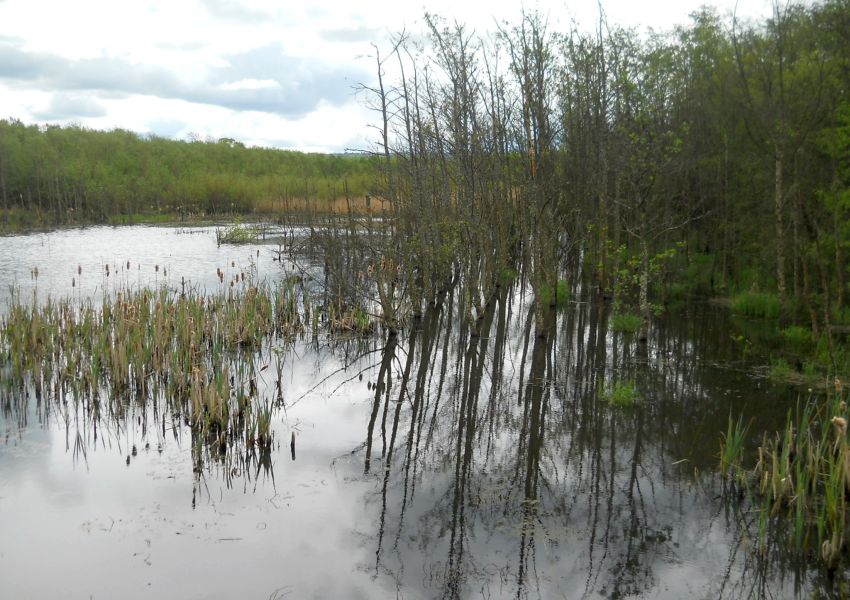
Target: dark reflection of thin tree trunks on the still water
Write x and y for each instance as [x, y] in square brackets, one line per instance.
[505, 472]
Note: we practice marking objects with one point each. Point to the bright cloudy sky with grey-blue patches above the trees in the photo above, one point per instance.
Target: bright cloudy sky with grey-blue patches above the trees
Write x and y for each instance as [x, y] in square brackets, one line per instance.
[271, 73]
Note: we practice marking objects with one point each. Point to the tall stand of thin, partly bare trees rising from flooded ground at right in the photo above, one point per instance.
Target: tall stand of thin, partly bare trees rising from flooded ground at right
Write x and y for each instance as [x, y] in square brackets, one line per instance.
[712, 158]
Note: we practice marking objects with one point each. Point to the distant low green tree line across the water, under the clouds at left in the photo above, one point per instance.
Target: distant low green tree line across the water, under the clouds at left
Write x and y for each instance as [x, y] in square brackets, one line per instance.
[58, 174]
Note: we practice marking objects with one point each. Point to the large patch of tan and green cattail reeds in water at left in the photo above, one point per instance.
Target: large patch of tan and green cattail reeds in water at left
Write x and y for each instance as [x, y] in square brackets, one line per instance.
[197, 353]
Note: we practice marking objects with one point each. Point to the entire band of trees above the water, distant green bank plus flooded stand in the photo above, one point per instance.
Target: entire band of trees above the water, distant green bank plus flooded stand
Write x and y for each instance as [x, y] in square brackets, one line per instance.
[713, 158]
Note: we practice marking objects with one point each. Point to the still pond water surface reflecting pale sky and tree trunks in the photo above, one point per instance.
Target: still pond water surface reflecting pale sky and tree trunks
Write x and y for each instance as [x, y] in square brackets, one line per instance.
[434, 463]
